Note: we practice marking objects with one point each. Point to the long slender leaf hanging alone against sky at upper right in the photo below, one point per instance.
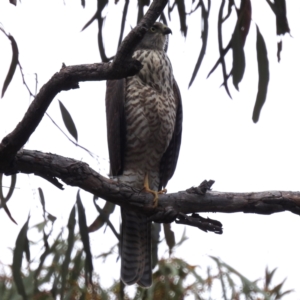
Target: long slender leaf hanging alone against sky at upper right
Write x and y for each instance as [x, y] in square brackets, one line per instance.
[263, 75]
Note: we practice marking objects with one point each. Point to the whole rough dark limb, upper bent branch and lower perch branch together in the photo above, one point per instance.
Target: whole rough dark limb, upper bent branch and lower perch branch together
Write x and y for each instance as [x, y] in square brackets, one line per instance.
[171, 206]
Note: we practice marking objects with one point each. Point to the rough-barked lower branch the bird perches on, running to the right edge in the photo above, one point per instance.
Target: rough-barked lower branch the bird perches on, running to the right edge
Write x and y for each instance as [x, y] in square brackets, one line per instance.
[79, 174]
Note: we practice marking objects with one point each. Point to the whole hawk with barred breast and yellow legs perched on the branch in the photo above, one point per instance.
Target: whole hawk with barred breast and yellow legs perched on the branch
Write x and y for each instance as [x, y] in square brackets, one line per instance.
[144, 124]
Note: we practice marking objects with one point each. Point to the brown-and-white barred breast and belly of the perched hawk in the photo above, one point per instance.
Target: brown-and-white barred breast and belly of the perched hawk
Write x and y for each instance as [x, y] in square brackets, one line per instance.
[150, 112]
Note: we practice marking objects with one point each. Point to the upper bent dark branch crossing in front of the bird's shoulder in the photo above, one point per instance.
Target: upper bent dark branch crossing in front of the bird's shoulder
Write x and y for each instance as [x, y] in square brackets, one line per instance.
[69, 77]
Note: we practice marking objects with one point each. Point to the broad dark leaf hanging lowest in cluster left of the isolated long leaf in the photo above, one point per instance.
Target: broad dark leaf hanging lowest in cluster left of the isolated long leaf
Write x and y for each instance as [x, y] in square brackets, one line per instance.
[238, 57]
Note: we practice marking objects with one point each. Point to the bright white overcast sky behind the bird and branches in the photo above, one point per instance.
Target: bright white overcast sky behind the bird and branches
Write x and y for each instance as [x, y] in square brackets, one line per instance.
[219, 142]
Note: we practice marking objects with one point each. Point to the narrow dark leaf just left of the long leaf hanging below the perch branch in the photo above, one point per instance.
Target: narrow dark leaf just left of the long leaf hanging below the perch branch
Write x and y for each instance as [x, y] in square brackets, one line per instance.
[66, 262]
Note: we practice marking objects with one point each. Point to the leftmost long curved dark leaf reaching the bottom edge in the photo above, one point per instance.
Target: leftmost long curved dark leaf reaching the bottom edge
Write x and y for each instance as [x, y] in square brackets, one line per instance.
[22, 245]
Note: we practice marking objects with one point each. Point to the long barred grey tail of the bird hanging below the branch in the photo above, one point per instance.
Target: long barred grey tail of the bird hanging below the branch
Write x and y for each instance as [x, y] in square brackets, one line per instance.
[136, 249]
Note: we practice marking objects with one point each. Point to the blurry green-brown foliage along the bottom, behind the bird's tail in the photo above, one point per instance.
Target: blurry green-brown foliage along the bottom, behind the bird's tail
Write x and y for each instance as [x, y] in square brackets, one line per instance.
[62, 272]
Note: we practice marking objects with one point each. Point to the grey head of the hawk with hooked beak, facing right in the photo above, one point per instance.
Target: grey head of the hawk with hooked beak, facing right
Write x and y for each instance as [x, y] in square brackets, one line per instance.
[155, 38]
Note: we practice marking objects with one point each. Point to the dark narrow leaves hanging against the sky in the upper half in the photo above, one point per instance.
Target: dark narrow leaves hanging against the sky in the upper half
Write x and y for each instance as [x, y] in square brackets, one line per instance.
[242, 19]
